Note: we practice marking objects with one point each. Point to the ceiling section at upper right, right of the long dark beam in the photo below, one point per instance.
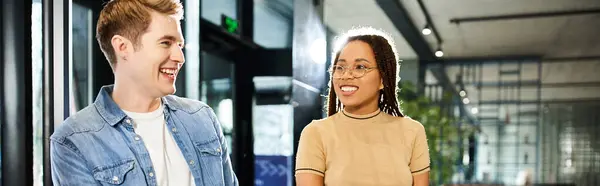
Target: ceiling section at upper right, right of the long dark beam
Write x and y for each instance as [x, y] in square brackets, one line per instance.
[563, 36]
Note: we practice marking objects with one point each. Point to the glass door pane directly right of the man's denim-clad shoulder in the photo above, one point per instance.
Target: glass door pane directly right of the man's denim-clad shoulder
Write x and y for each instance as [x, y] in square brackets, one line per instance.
[217, 91]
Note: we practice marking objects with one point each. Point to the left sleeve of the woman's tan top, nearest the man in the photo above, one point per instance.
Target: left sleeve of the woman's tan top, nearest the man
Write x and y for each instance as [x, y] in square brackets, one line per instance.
[310, 157]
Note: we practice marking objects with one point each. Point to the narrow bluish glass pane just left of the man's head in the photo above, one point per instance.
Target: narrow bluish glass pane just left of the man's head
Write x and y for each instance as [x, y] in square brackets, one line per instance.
[82, 57]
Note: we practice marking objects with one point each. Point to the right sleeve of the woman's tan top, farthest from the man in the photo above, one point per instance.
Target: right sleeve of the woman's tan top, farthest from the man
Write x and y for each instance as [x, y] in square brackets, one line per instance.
[419, 161]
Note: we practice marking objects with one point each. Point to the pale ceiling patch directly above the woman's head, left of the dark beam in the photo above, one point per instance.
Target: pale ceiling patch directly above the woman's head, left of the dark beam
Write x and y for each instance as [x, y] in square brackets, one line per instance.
[342, 15]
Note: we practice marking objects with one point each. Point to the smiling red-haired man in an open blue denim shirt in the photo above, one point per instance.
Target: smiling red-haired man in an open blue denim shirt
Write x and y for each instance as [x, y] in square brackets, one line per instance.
[136, 132]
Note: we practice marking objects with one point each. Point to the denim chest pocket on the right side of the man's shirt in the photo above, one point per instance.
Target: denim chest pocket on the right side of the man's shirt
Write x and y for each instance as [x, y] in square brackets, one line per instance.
[211, 162]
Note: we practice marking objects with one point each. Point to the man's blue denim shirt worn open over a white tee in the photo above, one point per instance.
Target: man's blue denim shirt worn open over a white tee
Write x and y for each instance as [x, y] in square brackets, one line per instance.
[96, 146]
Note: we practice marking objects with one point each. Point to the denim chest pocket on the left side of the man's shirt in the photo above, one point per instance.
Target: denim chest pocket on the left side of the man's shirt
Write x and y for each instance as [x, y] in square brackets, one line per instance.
[113, 174]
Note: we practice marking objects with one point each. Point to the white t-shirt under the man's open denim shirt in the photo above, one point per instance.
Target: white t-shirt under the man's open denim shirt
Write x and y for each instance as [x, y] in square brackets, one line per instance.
[170, 167]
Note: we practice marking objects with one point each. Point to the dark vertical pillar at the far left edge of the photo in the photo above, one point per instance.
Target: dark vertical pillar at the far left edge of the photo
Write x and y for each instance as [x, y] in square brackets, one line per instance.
[16, 95]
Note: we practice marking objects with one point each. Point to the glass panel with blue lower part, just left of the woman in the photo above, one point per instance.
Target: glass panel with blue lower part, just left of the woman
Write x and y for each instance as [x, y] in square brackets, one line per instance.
[272, 124]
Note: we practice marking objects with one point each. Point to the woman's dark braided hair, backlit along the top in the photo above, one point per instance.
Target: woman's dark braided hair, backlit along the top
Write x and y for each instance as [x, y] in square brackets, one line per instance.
[387, 64]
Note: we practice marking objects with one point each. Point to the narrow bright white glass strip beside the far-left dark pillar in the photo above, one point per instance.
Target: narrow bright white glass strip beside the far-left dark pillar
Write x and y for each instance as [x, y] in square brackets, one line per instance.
[37, 91]
